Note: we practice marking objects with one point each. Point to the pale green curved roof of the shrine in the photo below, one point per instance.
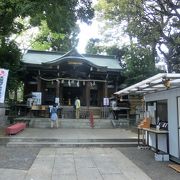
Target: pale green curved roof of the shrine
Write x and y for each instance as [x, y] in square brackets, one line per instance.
[47, 57]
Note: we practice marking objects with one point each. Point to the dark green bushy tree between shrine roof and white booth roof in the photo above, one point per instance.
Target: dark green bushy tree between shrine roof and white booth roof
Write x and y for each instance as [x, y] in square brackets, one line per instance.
[138, 64]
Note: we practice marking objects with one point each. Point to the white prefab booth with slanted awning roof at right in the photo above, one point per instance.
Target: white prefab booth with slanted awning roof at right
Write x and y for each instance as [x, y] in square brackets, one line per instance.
[162, 98]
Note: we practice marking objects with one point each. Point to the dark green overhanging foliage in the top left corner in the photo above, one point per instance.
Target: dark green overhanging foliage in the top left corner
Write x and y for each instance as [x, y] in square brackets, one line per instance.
[61, 15]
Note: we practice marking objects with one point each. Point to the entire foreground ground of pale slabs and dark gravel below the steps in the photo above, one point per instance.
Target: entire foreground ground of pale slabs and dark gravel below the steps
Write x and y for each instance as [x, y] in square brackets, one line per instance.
[82, 163]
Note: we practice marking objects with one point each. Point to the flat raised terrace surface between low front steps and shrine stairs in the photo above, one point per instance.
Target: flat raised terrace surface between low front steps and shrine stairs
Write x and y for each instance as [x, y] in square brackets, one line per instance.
[76, 133]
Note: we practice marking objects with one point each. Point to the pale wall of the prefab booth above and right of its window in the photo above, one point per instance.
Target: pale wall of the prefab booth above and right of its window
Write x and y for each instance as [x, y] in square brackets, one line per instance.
[171, 96]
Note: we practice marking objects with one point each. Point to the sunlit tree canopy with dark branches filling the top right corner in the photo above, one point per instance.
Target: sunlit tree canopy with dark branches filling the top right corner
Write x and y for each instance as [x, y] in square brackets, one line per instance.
[153, 23]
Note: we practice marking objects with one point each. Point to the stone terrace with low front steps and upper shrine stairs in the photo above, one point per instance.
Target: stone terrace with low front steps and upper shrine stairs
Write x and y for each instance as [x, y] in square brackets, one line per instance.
[71, 133]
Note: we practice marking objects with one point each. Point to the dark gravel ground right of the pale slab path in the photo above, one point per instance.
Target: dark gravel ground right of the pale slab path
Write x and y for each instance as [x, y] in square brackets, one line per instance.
[144, 159]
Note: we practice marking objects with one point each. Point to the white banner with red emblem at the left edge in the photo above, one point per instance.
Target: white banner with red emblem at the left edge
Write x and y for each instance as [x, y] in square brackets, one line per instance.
[3, 82]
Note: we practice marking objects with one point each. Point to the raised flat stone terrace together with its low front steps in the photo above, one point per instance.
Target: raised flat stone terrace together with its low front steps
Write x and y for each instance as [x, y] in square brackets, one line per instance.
[39, 137]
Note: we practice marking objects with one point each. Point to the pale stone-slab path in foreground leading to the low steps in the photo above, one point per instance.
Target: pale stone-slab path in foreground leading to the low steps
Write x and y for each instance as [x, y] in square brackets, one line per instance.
[78, 164]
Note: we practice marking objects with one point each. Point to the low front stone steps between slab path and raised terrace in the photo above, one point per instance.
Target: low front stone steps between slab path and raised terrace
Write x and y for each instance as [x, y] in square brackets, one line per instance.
[54, 142]
